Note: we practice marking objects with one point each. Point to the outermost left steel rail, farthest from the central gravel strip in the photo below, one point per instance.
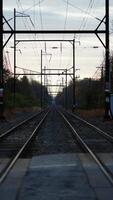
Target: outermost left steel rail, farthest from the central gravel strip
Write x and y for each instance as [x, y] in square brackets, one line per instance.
[18, 125]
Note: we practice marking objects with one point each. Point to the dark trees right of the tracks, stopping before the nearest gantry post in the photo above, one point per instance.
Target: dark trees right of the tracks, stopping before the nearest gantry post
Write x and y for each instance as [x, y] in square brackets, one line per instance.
[89, 94]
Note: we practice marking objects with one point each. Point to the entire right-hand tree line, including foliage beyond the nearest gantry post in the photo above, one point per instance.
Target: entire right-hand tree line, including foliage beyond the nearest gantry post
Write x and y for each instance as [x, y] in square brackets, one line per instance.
[89, 92]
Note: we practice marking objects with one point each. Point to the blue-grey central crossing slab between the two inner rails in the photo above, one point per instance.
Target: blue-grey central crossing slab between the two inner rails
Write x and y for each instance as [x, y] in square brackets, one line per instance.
[56, 177]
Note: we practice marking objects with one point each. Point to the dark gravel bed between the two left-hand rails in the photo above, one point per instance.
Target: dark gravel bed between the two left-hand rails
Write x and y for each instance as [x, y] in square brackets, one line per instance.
[14, 141]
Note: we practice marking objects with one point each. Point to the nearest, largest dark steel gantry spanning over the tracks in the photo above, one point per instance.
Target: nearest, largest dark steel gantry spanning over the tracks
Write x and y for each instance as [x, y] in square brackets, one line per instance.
[97, 32]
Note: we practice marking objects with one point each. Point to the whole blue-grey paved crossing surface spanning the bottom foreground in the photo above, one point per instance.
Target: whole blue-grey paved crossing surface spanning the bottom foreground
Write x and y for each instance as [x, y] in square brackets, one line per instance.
[60, 177]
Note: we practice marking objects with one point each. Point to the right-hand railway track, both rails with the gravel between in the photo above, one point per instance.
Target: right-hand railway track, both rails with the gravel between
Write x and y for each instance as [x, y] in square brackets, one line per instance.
[86, 143]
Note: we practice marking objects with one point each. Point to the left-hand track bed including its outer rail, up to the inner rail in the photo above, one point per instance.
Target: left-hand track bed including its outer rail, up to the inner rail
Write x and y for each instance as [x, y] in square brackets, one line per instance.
[13, 139]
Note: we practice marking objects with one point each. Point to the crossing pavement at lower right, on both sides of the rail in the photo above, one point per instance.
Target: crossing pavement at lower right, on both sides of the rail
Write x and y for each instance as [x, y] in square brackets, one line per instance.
[100, 184]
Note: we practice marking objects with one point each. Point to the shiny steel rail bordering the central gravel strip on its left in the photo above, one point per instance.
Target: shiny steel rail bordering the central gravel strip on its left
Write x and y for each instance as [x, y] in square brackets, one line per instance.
[21, 151]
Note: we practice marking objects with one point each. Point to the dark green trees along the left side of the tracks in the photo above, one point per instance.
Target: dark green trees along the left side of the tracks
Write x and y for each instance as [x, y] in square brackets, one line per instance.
[27, 92]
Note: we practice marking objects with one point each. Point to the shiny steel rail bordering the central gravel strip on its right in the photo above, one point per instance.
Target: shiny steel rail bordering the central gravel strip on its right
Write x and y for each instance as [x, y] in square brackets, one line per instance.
[101, 165]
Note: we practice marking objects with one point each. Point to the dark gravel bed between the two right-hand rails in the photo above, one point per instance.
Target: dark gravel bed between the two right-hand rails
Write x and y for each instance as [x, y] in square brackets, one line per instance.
[95, 141]
